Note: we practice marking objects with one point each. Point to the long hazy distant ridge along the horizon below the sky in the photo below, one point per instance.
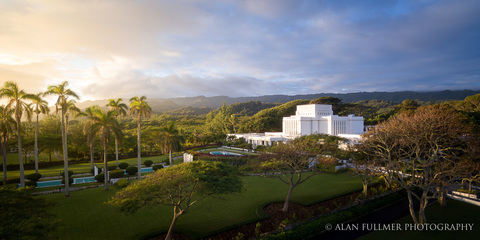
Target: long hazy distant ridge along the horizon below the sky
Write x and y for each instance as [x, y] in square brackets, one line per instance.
[160, 105]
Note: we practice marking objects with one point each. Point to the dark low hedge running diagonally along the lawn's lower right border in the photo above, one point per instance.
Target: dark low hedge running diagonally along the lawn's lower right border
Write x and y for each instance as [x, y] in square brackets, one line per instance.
[315, 227]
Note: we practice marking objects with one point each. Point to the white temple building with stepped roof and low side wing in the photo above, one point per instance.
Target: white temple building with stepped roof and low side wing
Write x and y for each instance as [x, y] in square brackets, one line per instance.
[309, 119]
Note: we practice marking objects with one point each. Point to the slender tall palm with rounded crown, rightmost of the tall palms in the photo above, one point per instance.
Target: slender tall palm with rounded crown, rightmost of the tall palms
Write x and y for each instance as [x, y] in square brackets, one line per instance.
[139, 108]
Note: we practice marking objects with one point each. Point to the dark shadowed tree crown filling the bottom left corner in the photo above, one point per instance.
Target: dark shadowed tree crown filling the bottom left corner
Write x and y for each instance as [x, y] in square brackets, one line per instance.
[25, 216]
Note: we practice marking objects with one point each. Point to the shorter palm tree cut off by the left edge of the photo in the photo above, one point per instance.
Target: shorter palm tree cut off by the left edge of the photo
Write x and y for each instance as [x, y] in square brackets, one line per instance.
[7, 127]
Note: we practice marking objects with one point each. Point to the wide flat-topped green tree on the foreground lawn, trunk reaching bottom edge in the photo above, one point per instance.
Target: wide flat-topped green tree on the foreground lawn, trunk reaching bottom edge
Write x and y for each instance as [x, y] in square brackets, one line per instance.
[179, 186]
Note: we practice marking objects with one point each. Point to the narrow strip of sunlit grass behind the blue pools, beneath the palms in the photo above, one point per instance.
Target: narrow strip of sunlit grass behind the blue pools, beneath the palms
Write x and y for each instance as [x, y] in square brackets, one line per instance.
[84, 167]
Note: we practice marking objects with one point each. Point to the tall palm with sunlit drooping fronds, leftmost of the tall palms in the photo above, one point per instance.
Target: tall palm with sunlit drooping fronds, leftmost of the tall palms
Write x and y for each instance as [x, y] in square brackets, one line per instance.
[16, 99]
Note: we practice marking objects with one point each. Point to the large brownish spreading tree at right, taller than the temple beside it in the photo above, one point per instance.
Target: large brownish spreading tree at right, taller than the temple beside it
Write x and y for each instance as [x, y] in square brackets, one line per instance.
[422, 151]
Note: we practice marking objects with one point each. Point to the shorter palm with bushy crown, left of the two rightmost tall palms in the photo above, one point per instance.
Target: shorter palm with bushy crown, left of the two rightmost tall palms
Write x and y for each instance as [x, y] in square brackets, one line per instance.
[105, 123]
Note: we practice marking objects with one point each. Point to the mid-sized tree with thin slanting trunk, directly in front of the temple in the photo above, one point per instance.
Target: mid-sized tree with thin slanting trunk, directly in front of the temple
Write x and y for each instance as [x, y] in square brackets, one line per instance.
[294, 163]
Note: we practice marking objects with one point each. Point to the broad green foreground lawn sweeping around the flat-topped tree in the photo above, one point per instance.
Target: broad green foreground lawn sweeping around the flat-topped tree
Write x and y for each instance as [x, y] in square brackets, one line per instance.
[84, 216]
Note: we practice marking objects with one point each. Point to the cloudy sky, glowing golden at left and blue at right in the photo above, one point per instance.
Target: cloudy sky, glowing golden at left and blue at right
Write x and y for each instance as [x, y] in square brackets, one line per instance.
[164, 49]
